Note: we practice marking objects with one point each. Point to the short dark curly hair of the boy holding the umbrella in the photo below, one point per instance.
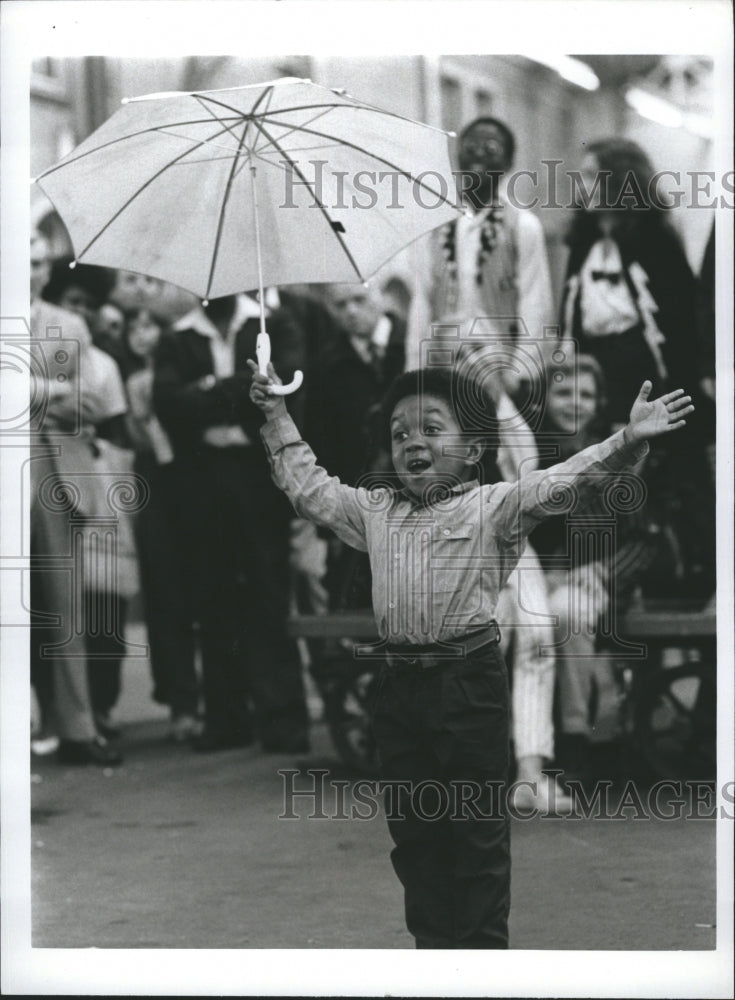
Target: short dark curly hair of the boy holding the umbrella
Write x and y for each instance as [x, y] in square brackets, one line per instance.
[459, 392]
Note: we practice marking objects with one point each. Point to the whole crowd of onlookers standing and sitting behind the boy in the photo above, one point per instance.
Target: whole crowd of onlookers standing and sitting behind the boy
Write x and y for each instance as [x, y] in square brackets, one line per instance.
[150, 389]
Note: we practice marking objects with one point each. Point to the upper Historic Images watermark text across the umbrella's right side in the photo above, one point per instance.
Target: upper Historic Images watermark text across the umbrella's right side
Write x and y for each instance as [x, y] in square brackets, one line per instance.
[313, 184]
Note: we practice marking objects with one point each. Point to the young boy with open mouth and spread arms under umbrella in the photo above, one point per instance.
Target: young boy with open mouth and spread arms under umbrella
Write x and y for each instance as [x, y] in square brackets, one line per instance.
[441, 547]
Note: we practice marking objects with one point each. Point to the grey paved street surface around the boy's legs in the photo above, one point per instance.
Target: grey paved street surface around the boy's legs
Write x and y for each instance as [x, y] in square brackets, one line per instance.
[178, 850]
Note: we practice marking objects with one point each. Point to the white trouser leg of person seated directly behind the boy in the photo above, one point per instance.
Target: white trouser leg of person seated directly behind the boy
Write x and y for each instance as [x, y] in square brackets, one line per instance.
[523, 614]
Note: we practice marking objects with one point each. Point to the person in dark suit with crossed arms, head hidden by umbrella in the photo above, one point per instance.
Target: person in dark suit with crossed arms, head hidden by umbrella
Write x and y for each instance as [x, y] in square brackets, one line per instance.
[237, 520]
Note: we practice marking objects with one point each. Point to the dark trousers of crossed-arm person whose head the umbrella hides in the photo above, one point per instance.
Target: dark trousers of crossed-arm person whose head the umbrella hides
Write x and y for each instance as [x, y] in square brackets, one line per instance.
[243, 600]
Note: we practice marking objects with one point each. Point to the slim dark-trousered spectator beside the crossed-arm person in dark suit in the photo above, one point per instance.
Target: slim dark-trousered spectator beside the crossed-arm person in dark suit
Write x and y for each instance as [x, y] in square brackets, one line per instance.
[165, 560]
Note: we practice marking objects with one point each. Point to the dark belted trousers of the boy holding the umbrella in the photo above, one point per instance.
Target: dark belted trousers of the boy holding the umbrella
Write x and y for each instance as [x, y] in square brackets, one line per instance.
[448, 726]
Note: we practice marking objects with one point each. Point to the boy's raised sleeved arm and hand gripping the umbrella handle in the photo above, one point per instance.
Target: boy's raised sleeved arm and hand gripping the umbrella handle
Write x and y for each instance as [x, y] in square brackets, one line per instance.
[315, 495]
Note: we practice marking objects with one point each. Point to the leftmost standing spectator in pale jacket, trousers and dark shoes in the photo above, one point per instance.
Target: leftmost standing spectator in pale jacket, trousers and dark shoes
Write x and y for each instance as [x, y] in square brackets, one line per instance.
[62, 456]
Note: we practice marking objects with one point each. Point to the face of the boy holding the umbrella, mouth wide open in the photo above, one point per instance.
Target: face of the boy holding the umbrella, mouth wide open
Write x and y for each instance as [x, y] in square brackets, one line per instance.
[427, 446]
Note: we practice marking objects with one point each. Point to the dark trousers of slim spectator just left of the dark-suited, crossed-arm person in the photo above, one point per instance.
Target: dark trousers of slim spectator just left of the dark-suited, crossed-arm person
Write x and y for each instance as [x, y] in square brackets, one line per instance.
[166, 569]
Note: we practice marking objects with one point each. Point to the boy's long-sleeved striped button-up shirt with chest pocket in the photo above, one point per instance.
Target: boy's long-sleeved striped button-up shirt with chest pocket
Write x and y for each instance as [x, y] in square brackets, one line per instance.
[437, 569]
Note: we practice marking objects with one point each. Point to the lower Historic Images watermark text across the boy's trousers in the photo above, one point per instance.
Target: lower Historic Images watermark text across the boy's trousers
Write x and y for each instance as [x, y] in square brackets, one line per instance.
[326, 798]
